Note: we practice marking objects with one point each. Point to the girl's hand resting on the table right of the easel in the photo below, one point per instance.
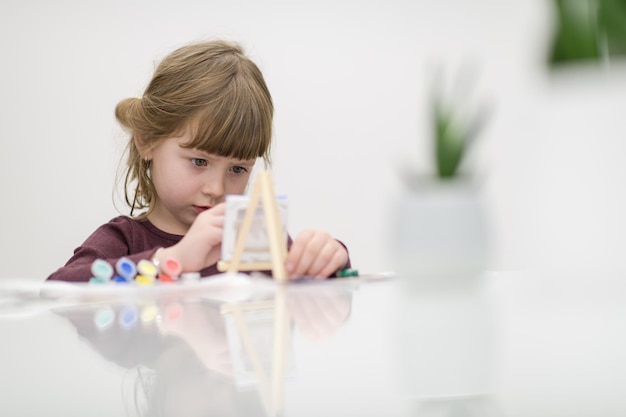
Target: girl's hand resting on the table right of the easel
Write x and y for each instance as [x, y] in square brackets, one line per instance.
[315, 253]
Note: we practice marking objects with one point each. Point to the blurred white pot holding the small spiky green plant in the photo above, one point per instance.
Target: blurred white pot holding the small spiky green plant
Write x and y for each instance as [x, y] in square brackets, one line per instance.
[438, 234]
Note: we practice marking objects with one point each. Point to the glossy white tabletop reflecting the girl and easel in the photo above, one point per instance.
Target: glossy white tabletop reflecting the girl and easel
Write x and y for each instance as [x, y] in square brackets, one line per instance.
[505, 344]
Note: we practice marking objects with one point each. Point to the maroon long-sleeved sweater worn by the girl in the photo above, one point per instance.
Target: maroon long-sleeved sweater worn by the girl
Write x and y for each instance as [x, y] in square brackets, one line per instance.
[122, 236]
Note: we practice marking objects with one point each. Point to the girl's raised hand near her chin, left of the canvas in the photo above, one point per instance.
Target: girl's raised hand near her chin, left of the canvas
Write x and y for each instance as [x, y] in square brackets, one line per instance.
[202, 244]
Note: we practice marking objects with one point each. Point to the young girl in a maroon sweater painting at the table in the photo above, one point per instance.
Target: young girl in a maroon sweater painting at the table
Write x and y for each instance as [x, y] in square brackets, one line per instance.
[195, 135]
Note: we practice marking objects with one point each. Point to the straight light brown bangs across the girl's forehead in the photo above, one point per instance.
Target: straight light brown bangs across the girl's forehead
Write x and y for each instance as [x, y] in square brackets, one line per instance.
[238, 124]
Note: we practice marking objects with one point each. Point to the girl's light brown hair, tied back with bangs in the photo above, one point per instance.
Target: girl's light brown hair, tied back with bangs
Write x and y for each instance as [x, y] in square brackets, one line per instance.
[209, 87]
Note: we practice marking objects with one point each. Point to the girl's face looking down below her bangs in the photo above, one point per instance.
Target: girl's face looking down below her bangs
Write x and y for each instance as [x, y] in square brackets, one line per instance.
[189, 181]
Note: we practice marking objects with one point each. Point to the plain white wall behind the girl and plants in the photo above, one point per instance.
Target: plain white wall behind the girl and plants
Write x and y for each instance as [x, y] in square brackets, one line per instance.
[349, 82]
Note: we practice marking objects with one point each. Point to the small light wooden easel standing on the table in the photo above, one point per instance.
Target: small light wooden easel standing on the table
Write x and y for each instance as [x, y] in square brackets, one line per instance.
[264, 191]
